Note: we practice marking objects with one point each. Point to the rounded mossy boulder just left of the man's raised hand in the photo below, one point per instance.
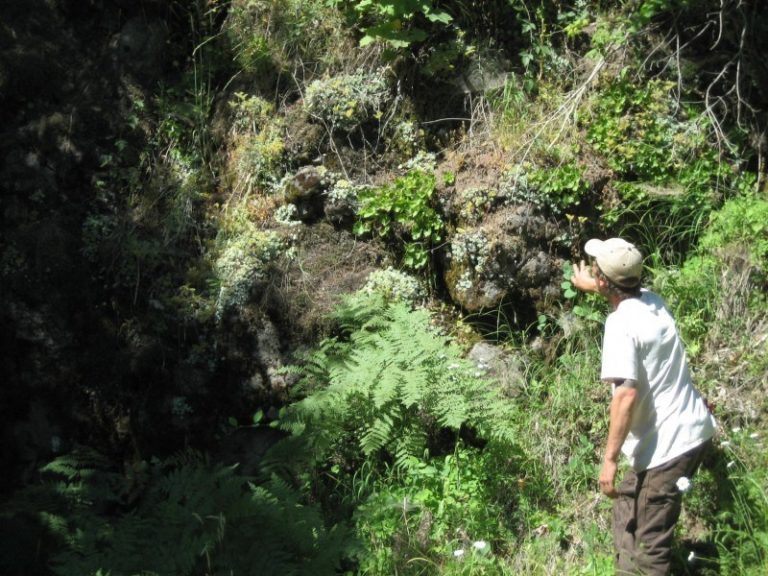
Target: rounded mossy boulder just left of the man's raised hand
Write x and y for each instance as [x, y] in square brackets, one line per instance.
[507, 254]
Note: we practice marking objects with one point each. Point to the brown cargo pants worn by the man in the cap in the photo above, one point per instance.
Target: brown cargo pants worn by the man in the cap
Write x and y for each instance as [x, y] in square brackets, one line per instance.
[645, 514]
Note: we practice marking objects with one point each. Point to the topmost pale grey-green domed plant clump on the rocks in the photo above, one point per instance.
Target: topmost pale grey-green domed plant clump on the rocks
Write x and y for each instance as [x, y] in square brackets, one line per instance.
[345, 102]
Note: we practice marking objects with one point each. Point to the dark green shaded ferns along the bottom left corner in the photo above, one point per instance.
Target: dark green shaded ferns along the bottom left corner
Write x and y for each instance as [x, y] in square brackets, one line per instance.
[192, 518]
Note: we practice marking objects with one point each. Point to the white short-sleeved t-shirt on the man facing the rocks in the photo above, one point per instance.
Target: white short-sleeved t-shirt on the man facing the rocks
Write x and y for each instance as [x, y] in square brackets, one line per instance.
[669, 417]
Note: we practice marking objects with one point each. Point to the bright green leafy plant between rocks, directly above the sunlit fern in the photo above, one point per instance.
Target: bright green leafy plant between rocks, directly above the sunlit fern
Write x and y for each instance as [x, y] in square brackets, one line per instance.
[402, 211]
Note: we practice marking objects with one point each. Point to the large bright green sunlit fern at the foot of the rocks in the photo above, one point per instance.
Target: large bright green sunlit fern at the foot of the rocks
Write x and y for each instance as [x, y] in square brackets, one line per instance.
[392, 376]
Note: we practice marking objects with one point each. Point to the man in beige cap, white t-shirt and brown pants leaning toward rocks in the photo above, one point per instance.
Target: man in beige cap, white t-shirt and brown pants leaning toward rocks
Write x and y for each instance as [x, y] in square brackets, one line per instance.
[657, 418]
